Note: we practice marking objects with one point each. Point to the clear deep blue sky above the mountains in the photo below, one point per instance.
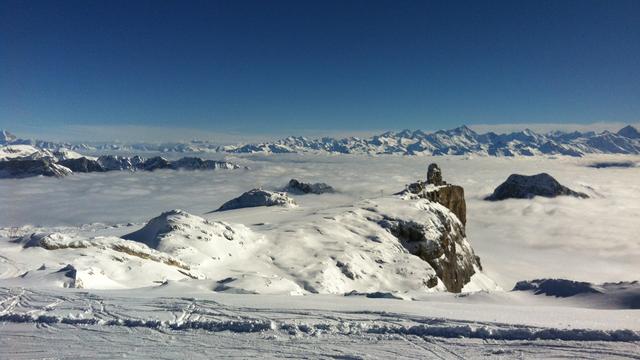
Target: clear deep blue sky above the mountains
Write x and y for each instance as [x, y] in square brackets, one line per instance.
[281, 66]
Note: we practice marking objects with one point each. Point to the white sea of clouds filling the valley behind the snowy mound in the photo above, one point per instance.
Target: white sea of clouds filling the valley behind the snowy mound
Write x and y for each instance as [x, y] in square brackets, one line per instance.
[591, 240]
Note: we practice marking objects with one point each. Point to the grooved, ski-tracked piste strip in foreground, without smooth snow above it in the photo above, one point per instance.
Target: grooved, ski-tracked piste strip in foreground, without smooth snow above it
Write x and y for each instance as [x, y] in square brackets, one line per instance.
[165, 327]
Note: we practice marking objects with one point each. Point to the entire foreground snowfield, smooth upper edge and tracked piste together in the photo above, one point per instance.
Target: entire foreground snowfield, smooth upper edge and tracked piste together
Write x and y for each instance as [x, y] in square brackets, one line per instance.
[173, 322]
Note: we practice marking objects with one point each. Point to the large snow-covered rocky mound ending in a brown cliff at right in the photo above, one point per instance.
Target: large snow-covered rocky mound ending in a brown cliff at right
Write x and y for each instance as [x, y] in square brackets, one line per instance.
[367, 247]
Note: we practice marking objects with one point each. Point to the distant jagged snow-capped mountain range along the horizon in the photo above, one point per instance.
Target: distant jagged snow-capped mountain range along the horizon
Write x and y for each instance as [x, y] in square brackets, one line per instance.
[459, 141]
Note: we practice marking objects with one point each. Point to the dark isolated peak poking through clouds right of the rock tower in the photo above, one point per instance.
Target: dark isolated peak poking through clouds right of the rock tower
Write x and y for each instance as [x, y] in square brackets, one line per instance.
[526, 187]
